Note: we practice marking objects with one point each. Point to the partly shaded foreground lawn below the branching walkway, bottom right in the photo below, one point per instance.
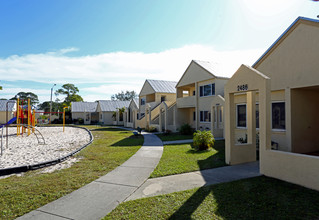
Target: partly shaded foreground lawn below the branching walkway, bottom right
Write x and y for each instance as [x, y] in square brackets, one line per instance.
[255, 198]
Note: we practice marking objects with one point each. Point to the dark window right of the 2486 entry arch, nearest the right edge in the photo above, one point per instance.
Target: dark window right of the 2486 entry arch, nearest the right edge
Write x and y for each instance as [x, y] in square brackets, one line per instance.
[278, 115]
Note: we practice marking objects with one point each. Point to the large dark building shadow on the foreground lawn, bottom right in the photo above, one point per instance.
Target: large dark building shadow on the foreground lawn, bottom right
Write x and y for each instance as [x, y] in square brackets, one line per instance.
[254, 198]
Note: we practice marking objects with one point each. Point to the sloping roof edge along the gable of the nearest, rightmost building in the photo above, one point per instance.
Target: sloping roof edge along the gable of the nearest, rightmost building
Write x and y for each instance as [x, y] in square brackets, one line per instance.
[282, 37]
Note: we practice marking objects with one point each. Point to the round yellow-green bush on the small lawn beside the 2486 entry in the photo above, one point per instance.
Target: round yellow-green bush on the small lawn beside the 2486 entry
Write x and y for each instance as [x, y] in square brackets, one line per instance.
[203, 140]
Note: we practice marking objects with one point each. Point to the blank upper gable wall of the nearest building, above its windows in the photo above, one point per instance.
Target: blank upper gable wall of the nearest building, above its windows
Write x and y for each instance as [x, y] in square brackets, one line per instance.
[294, 62]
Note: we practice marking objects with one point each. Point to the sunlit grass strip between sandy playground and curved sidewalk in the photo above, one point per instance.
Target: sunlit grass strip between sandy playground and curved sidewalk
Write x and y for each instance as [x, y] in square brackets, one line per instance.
[111, 147]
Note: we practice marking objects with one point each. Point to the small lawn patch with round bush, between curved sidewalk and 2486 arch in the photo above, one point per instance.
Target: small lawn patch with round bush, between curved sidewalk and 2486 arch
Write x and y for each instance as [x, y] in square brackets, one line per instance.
[182, 159]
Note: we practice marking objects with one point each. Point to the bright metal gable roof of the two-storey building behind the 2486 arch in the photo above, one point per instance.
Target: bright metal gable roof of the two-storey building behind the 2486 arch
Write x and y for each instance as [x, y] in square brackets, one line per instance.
[209, 67]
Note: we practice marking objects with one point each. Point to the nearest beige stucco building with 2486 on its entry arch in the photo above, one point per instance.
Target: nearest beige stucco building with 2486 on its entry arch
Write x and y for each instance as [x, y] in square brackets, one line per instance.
[275, 102]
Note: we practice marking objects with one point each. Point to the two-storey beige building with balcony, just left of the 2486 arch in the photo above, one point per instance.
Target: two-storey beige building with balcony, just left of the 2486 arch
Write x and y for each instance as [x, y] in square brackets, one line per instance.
[200, 99]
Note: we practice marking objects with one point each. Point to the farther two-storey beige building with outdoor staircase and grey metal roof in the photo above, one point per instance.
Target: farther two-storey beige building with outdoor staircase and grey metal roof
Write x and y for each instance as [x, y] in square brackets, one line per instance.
[157, 101]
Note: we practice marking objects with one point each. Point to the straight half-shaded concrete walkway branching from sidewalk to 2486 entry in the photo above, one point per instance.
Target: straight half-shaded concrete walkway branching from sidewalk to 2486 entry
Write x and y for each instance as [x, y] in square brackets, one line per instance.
[180, 182]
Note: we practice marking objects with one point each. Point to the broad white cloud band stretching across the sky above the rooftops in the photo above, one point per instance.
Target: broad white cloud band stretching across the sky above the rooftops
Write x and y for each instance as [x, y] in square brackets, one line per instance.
[117, 70]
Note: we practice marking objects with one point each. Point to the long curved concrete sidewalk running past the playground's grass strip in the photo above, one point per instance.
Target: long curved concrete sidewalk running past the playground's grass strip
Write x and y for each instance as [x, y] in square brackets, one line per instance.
[101, 196]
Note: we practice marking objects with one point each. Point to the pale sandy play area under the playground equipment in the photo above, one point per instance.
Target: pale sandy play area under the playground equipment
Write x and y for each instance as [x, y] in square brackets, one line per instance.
[25, 150]
